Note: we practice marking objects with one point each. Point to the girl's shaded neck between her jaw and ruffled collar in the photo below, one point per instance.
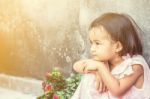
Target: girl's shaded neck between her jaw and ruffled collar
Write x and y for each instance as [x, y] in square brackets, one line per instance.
[114, 62]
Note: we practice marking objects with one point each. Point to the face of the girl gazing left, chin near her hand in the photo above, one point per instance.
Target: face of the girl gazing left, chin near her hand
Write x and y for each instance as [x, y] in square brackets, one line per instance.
[103, 48]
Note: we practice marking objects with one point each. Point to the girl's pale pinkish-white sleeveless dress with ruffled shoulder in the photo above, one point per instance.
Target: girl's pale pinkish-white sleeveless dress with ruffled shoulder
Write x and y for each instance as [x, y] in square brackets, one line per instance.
[87, 90]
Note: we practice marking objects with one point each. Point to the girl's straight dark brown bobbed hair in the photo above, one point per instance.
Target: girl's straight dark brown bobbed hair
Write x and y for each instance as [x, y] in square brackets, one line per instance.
[121, 28]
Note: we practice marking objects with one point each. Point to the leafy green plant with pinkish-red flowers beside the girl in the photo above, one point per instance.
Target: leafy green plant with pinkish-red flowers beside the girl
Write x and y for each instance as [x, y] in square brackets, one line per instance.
[56, 86]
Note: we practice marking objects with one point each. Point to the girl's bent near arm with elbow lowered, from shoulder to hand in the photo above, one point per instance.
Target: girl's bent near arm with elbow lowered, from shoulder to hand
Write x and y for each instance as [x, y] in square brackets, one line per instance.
[116, 86]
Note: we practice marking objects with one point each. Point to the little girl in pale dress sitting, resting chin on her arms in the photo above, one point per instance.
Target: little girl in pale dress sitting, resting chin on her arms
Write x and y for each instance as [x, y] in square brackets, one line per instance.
[116, 61]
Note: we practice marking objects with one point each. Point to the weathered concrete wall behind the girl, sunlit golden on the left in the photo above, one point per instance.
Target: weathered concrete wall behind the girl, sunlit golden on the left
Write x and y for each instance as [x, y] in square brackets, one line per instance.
[38, 35]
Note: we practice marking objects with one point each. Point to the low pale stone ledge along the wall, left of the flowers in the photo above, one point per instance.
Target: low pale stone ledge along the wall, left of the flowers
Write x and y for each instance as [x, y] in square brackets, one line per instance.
[21, 84]
